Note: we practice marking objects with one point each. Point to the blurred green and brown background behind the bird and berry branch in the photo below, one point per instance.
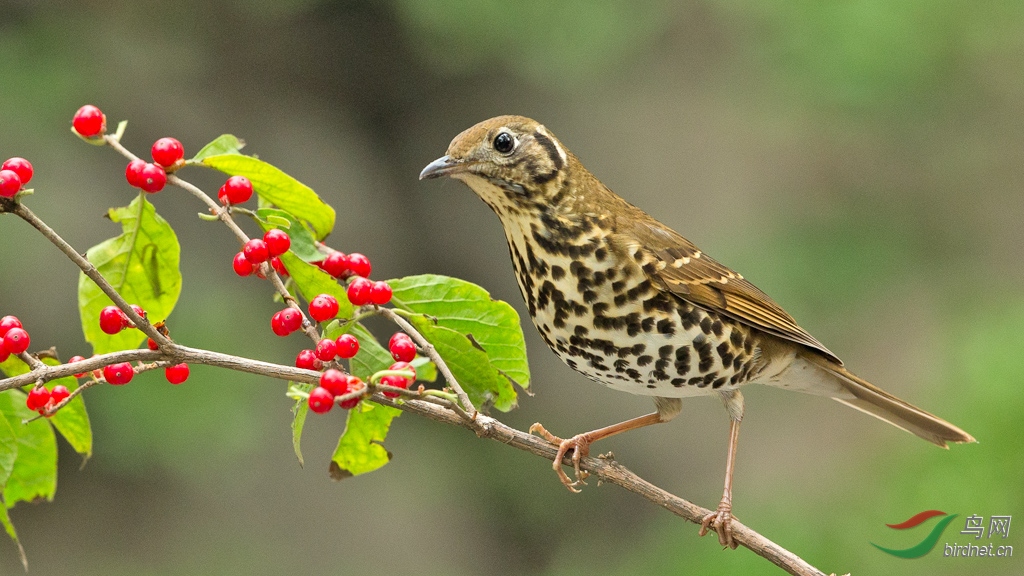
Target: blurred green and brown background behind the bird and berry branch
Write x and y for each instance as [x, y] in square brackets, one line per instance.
[862, 161]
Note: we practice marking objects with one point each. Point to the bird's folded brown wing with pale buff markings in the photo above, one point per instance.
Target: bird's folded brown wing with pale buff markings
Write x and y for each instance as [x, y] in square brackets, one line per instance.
[684, 270]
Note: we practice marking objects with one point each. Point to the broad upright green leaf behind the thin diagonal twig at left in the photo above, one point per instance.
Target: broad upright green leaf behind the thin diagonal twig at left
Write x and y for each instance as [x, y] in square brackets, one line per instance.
[142, 265]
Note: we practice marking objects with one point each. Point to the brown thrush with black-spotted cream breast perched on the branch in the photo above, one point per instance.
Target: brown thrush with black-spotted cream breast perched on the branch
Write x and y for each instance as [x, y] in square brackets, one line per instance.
[630, 304]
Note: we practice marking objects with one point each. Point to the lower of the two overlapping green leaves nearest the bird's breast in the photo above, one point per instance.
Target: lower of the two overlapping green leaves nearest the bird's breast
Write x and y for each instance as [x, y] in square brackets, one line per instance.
[470, 365]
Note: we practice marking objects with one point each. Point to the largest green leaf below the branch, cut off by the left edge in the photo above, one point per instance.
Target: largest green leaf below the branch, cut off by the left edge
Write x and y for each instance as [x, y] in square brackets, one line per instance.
[35, 473]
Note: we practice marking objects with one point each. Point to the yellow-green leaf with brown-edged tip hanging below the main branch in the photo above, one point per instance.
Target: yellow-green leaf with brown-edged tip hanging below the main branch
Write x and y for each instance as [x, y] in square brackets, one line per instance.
[360, 449]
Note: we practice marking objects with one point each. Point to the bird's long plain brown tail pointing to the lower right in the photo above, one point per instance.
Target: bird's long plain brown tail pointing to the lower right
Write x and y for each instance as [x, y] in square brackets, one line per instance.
[870, 399]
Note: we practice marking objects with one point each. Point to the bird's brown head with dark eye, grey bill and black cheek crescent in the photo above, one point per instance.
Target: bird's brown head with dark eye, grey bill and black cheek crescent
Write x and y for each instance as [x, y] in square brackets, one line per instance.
[511, 162]
